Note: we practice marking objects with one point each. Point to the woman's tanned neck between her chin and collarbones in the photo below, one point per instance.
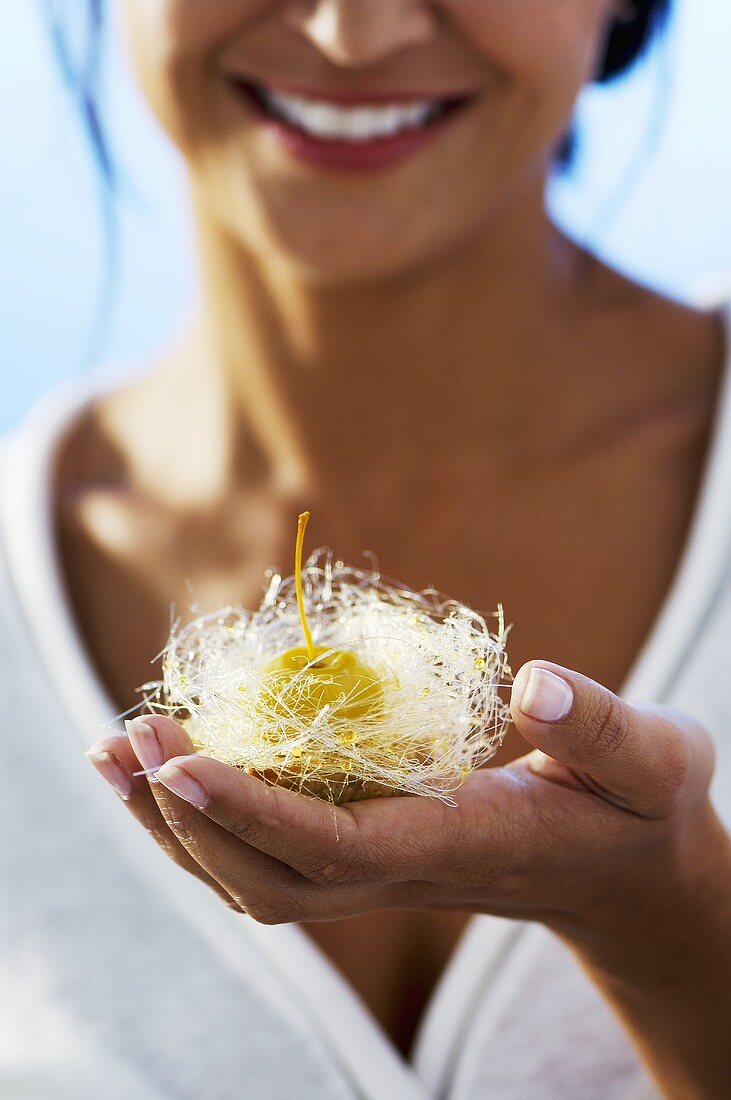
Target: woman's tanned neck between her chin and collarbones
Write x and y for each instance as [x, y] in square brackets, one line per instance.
[318, 373]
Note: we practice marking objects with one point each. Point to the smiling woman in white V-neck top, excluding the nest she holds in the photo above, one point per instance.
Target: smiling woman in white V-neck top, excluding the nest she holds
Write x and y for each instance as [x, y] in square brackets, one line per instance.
[394, 335]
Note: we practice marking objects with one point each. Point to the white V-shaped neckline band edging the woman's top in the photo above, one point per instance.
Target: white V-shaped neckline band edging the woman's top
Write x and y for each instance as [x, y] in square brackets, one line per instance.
[328, 1002]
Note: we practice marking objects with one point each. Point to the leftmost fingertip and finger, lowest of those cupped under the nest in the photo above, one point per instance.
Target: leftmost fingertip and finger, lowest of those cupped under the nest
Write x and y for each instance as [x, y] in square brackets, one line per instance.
[116, 761]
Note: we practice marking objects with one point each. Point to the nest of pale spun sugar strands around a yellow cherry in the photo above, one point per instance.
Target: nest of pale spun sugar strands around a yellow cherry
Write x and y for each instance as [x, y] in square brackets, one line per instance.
[403, 697]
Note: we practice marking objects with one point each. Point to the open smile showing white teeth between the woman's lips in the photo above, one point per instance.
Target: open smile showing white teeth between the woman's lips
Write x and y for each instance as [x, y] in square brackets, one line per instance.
[358, 124]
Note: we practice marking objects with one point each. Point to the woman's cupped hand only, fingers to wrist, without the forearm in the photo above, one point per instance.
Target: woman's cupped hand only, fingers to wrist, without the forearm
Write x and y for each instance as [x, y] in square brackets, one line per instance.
[606, 826]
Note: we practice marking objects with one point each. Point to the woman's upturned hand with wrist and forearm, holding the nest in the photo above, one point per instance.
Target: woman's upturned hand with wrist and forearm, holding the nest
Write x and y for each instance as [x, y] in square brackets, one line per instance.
[605, 833]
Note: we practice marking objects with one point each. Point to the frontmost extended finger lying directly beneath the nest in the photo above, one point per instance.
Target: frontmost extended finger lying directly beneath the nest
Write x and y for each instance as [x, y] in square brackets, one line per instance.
[380, 841]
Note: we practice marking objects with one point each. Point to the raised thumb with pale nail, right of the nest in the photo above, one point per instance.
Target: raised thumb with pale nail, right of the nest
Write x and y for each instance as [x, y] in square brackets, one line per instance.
[640, 757]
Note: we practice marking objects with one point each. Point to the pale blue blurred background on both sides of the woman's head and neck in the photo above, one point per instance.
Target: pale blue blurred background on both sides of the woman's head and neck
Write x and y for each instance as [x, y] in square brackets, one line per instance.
[661, 142]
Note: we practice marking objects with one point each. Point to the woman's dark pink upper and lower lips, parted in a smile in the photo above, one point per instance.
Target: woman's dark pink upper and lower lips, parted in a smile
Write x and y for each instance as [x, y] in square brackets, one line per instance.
[348, 156]
